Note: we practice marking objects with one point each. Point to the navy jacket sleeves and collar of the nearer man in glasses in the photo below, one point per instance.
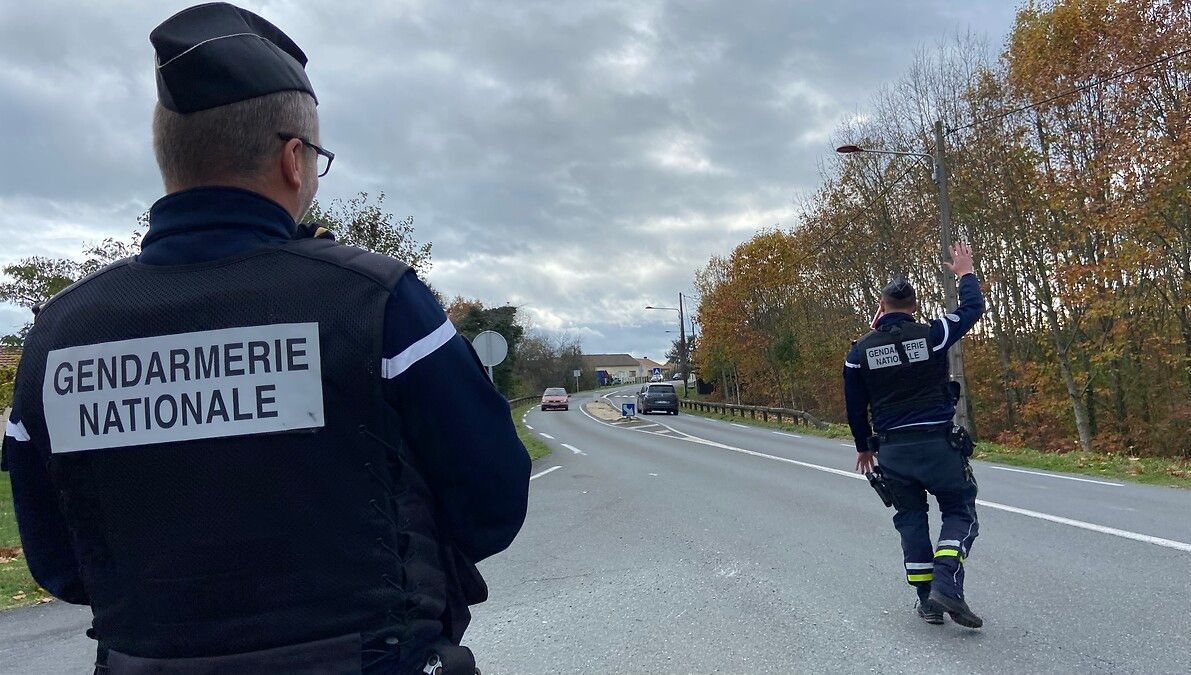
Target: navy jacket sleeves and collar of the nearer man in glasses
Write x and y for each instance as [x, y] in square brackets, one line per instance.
[453, 420]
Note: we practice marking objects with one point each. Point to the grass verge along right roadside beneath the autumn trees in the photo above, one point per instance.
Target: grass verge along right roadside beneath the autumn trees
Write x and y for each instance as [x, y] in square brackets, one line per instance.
[1152, 471]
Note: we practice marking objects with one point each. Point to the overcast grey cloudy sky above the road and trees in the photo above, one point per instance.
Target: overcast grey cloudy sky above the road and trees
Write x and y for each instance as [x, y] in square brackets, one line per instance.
[577, 159]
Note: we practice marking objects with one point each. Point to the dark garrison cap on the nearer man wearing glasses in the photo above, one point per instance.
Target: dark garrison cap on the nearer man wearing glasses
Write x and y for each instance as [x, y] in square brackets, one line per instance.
[217, 54]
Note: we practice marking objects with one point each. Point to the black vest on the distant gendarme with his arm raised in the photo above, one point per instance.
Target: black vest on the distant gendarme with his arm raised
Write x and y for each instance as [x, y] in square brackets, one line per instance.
[901, 371]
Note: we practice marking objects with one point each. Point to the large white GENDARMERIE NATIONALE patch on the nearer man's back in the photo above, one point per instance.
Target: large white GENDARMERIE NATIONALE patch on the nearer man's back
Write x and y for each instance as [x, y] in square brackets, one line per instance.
[184, 387]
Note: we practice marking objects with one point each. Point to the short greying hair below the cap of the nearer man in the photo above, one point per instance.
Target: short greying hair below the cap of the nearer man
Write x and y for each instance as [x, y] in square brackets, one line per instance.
[229, 142]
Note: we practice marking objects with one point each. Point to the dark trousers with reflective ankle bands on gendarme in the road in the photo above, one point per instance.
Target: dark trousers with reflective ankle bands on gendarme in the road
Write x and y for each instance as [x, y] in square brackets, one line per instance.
[916, 464]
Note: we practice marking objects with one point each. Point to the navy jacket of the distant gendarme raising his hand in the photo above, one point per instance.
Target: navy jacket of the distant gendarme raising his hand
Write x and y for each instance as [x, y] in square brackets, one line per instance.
[945, 332]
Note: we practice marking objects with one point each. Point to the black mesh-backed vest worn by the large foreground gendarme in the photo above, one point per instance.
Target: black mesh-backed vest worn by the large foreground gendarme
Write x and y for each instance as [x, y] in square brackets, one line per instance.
[227, 545]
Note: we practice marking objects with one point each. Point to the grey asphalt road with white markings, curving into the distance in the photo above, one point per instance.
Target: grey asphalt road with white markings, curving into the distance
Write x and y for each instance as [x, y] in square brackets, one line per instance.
[697, 546]
